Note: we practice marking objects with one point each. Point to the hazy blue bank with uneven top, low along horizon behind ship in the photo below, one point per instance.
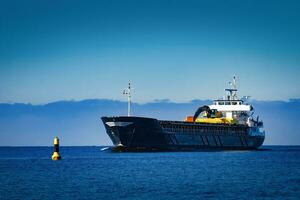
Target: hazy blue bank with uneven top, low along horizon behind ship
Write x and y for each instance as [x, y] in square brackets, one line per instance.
[78, 122]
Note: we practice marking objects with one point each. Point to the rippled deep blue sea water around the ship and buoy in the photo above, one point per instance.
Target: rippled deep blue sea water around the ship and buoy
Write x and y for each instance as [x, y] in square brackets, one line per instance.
[89, 173]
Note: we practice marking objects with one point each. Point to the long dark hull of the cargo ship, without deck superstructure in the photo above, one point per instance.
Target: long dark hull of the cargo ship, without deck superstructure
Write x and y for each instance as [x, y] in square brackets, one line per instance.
[148, 134]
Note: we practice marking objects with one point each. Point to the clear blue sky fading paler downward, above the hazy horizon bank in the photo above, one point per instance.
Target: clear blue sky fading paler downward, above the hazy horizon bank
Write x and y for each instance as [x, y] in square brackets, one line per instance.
[179, 50]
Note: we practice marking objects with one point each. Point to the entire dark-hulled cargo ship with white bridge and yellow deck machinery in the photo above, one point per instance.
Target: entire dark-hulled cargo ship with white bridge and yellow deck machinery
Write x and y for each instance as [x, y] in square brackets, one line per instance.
[227, 124]
